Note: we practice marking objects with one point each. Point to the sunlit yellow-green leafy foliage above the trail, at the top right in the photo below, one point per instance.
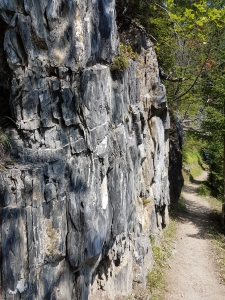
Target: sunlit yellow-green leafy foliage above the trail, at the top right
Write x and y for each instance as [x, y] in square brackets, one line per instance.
[182, 32]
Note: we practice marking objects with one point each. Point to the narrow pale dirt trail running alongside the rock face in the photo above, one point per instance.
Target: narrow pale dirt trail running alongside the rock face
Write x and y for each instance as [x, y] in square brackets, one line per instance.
[192, 274]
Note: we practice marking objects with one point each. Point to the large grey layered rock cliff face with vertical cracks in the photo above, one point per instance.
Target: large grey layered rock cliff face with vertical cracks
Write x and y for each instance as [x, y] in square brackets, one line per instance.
[87, 184]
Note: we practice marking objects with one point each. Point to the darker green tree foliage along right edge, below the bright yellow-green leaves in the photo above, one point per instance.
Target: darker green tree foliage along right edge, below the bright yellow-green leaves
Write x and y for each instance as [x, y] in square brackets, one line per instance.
[213, 126]
